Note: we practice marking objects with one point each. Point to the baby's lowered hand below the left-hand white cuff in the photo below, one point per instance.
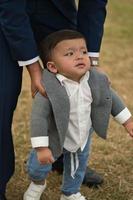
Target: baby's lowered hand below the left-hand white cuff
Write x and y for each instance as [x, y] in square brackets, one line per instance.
[44, 155]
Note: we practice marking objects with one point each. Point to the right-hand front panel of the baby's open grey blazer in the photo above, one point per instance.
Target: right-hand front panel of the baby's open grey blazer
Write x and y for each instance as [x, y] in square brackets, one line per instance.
[102, 102]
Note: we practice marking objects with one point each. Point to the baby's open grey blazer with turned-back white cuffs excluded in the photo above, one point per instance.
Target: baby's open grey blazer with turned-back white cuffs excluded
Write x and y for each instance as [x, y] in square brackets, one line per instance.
[50, 116]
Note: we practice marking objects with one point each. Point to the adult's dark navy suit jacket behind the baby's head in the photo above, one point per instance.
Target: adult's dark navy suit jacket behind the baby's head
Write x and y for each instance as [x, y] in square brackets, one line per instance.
[46, 16]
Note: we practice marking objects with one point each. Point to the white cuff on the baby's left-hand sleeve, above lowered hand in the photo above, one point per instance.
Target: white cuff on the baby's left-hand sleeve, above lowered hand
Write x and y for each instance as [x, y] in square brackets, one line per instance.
[42, 141]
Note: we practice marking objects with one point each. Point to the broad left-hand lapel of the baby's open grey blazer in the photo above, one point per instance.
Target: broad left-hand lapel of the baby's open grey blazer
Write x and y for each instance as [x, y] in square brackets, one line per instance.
[59, 101]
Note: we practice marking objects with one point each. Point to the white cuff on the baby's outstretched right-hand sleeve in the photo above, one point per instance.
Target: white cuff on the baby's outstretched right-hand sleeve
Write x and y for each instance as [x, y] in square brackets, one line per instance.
[123, 116]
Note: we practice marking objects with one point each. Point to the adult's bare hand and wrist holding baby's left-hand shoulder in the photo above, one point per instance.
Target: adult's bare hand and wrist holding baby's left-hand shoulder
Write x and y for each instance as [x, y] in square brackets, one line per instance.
[35, 72]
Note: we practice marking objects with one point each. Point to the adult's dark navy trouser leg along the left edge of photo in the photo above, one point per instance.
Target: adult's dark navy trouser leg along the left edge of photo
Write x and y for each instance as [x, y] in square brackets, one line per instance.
[10, 86]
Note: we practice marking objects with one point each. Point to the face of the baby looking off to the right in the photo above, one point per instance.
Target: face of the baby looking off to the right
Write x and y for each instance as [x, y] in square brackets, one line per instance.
[71, 58]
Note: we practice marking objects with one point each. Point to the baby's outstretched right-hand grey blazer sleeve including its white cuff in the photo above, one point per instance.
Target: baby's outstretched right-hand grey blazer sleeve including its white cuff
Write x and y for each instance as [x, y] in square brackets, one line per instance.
[119, 111]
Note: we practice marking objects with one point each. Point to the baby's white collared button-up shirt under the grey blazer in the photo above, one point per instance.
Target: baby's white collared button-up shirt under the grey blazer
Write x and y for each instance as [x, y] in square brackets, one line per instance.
[80, 109]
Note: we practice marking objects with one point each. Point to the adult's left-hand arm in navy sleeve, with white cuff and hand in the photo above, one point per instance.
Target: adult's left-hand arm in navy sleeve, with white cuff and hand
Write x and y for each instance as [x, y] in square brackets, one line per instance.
[18, 34]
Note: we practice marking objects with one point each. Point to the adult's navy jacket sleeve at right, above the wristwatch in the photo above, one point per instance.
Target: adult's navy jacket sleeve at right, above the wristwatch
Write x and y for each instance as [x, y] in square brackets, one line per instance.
[90, 21]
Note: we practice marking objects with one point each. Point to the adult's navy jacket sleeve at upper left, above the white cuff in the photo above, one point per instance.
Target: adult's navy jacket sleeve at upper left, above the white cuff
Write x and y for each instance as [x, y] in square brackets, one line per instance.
[15, 26]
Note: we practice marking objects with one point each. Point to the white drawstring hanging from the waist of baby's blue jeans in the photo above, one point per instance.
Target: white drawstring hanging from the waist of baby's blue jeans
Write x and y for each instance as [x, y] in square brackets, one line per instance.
[74, 164]
